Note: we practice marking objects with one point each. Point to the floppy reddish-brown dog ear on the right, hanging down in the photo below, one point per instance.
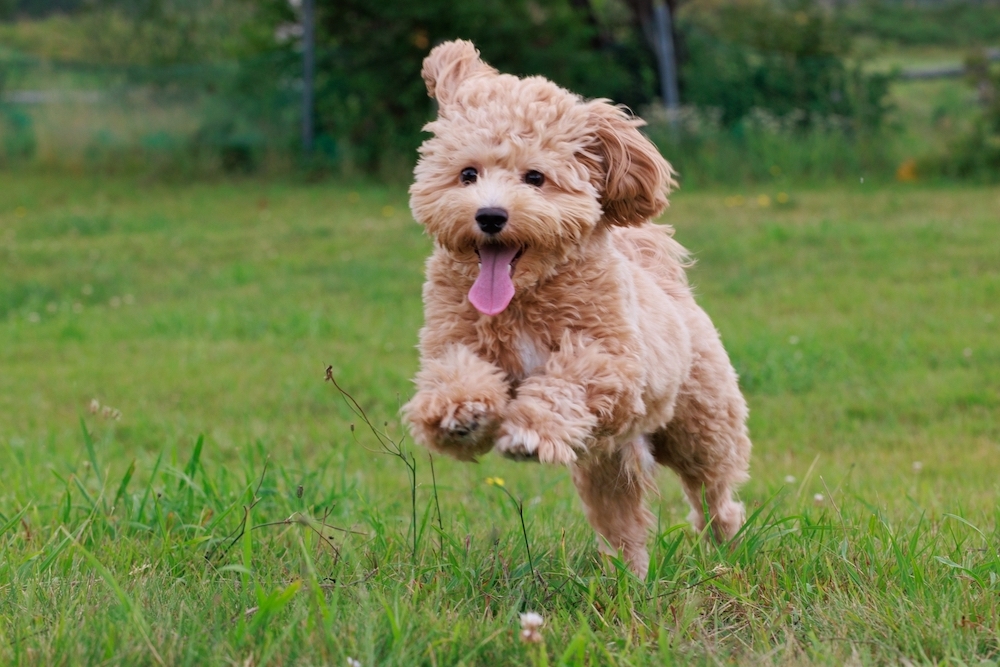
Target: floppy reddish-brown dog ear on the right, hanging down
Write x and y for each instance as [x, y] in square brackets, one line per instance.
[630, 174]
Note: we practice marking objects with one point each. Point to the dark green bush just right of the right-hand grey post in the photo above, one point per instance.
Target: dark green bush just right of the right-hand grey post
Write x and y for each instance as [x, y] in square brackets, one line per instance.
[789, 58]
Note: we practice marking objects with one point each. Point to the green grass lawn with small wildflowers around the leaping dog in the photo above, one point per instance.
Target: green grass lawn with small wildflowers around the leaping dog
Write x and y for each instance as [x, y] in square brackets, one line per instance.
[233, 514]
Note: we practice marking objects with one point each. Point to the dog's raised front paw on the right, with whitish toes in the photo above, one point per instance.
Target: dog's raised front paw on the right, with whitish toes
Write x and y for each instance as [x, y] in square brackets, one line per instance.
[532, 434]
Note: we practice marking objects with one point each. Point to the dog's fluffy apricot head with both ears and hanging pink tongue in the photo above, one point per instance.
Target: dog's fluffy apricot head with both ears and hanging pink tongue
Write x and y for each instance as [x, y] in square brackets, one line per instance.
[520, 172]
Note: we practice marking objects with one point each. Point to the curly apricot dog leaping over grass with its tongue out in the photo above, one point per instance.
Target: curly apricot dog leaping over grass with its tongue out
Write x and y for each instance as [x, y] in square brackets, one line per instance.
[559, 324]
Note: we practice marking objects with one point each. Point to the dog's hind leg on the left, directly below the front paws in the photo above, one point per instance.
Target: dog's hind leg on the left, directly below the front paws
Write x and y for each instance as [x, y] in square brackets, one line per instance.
[612, 487]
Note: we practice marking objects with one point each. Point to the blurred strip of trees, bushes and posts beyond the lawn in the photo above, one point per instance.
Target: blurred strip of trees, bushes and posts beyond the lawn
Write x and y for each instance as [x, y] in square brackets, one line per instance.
[735, 91]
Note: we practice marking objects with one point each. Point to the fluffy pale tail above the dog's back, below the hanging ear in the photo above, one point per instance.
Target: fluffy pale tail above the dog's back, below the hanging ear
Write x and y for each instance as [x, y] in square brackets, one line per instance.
[654, 249]
